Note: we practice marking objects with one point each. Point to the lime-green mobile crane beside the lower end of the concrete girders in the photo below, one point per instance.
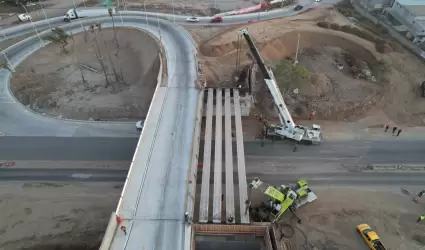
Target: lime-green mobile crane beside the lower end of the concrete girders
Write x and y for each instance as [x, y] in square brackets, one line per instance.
[281, 199]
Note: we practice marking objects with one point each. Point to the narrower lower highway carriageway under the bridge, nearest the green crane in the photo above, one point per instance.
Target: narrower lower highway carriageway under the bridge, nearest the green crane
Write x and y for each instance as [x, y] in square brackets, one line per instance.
[366, 178]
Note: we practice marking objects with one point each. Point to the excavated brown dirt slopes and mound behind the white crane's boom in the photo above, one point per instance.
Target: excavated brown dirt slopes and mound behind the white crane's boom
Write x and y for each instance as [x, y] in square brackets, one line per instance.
[334, 94]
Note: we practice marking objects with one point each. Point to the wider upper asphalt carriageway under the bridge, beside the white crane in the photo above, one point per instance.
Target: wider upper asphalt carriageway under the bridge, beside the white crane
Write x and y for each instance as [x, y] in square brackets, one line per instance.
[122, 149]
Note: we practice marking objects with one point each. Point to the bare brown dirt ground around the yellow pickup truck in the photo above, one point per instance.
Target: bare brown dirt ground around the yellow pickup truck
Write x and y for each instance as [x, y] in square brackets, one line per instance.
[330, 222]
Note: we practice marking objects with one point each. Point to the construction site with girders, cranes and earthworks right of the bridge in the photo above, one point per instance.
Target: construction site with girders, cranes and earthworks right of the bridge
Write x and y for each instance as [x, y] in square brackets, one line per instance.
[258, 75]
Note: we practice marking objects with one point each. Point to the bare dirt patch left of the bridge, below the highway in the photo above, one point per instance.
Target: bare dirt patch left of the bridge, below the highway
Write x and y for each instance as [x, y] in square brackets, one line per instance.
[55, 216]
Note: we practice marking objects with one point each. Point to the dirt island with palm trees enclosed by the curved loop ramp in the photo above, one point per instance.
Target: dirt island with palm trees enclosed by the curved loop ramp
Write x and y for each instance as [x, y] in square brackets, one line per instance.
[51, 81]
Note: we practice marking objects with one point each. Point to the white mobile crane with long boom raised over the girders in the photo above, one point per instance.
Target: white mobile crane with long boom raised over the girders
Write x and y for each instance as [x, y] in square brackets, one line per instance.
[287, 128]
